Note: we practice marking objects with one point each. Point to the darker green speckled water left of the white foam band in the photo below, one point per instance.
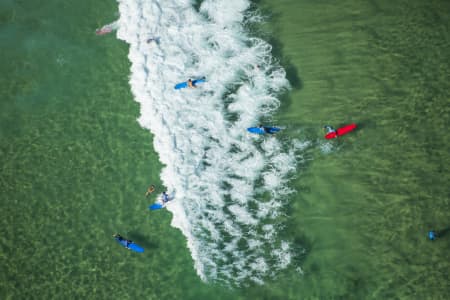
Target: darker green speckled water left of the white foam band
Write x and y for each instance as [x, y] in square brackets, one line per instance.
[75, 166]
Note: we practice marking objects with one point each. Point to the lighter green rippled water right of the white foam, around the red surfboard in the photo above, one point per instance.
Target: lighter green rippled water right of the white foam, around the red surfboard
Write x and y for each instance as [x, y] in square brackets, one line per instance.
[365, 206]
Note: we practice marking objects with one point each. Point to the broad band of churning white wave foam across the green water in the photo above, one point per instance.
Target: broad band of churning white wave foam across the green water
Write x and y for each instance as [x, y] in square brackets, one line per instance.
[229, 187]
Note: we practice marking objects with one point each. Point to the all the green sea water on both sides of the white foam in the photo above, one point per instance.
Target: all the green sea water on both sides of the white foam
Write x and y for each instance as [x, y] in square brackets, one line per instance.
[75, 164]
